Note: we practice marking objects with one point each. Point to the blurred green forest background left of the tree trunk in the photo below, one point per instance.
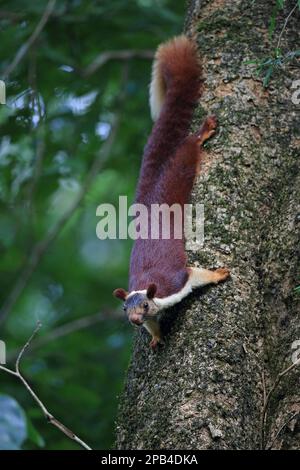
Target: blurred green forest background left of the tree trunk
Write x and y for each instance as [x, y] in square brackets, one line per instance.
[61, 117]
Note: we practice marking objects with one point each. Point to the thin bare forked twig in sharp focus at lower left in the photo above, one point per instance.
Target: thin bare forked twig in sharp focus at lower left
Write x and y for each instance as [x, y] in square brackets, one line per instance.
[49, 417]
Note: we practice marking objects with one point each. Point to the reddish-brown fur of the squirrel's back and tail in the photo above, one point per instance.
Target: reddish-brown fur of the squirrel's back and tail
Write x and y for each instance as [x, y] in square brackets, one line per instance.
[168, 170]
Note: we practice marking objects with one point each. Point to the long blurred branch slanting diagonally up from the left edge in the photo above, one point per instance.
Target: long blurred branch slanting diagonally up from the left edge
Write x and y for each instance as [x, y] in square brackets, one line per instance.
[42, 246]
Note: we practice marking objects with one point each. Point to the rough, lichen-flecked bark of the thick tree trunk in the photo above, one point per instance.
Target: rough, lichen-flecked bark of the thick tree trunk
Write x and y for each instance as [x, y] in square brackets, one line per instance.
[205, 388]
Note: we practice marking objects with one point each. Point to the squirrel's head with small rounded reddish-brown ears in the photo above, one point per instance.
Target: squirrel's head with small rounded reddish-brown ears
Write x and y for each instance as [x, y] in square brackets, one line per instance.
[139, 306]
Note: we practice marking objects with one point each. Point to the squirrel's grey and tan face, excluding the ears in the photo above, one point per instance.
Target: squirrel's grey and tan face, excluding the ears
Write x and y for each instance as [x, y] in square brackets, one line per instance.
[139, 307]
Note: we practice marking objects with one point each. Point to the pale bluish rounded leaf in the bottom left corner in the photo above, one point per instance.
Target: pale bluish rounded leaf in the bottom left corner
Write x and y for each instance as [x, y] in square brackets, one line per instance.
[13, 427]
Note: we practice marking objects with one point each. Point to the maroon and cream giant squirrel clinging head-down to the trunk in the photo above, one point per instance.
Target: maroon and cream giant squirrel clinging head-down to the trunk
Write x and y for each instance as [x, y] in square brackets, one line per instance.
[159, 275]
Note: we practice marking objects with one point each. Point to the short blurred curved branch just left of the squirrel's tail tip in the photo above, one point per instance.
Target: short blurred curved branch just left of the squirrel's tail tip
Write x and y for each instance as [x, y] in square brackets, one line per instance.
[104, 57]
